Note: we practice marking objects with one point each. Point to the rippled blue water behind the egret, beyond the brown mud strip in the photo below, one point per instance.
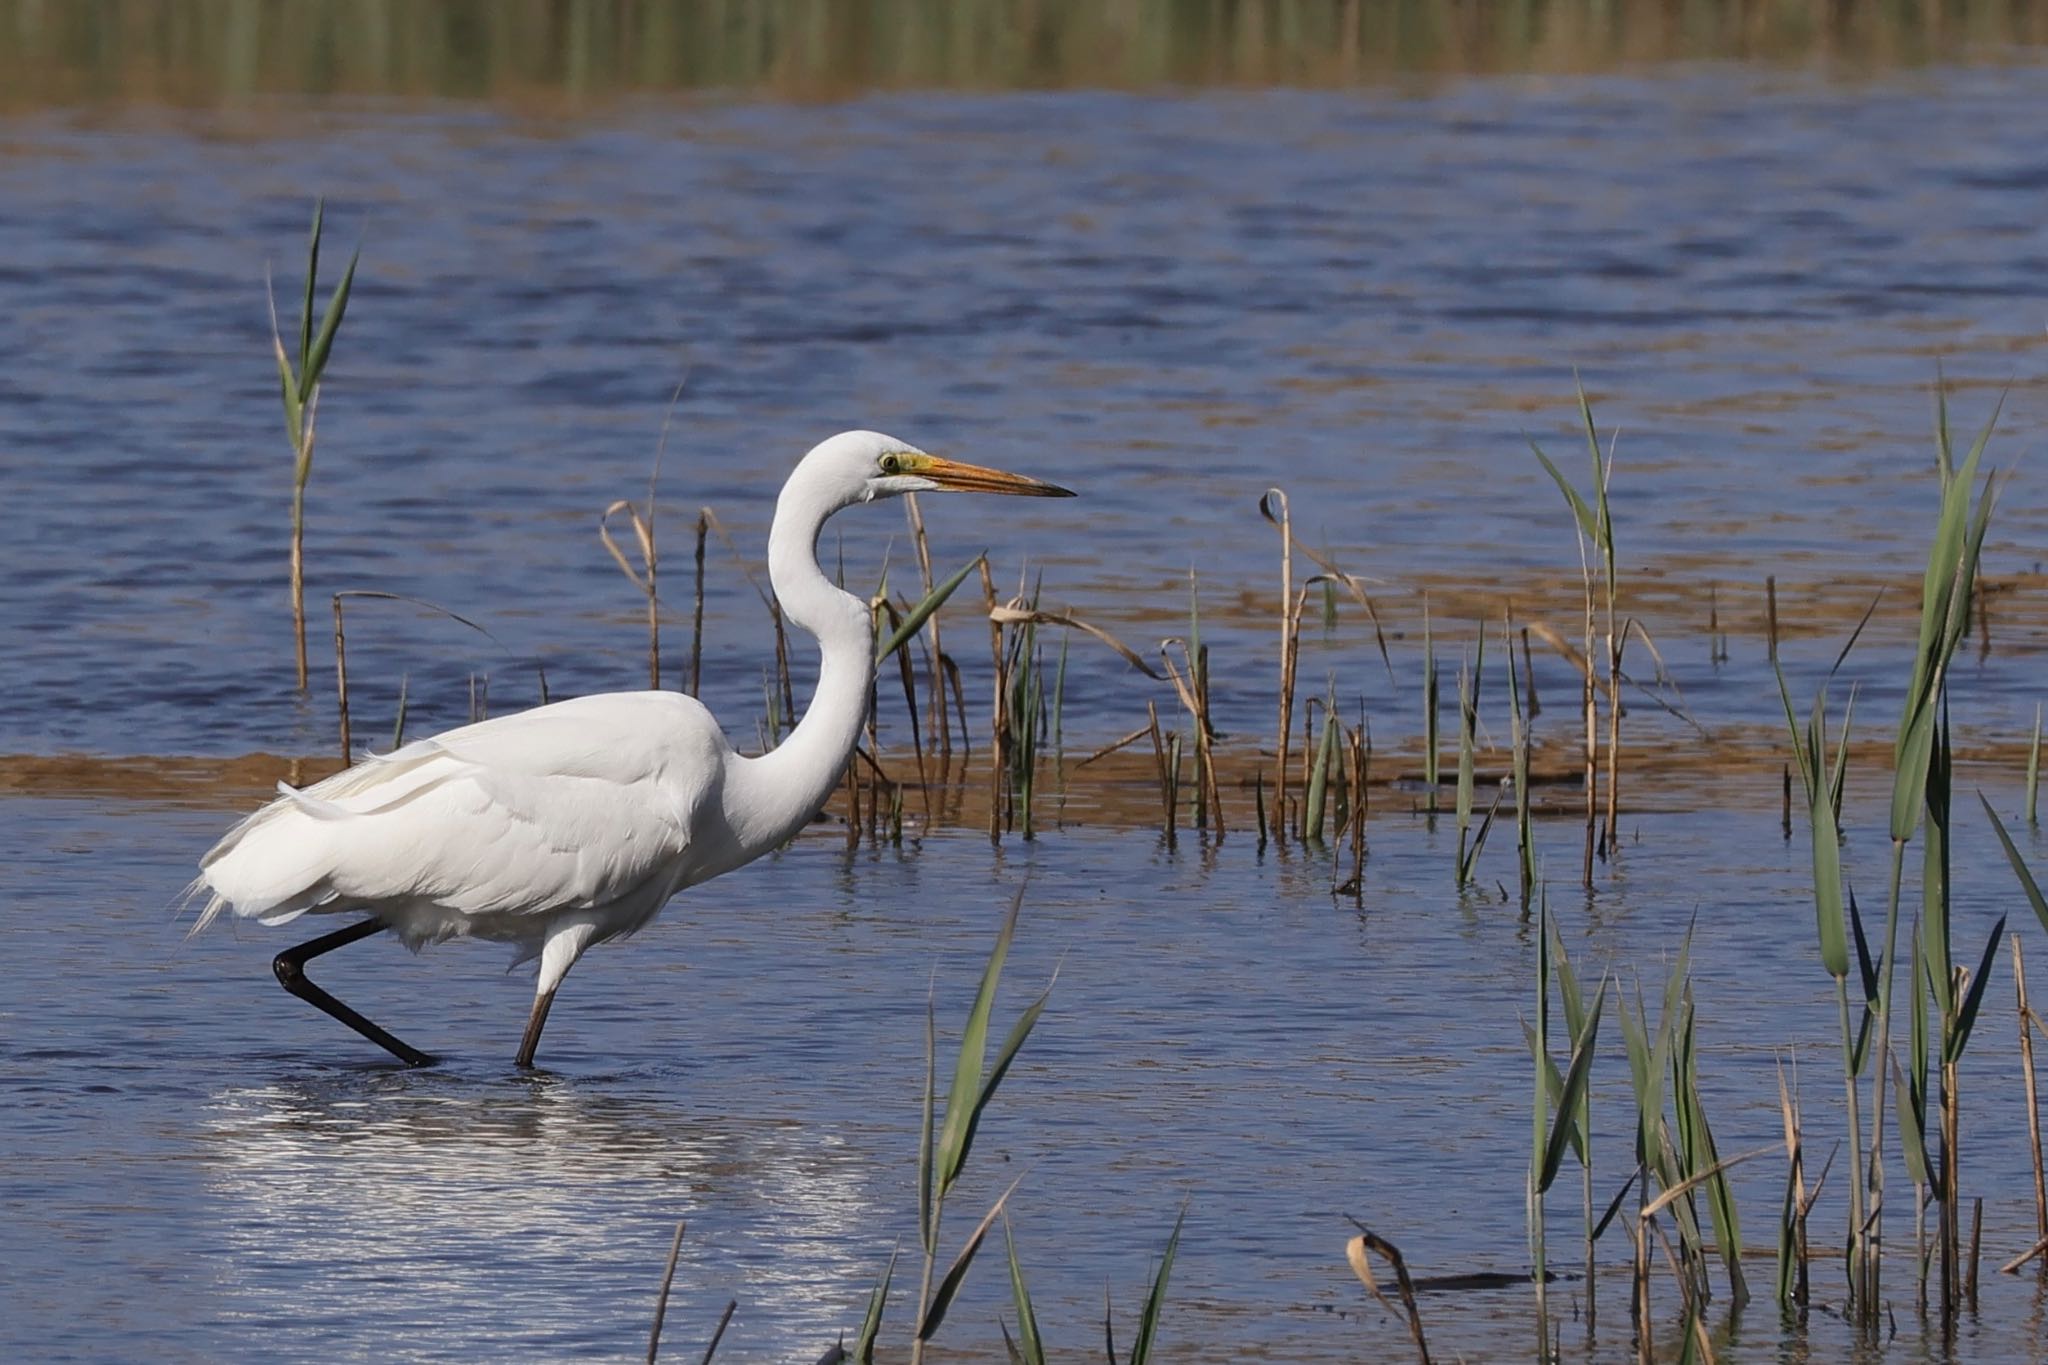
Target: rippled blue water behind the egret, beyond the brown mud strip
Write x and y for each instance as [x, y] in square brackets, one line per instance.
[1361, 298]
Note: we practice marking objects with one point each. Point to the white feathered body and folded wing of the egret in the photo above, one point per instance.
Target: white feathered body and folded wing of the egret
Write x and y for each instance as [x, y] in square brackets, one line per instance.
[603, 801]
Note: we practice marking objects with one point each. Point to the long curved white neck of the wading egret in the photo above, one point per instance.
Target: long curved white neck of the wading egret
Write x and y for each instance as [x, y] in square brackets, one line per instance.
[775, 795]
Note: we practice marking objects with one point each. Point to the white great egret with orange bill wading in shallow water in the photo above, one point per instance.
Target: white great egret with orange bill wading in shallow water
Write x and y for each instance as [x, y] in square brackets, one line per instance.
[572, 824]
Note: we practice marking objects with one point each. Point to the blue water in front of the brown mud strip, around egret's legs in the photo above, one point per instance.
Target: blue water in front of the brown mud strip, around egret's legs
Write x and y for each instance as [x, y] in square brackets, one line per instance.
[204, 1168]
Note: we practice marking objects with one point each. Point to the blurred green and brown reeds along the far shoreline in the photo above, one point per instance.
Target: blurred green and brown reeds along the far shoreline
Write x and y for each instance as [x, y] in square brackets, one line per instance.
[564, 54]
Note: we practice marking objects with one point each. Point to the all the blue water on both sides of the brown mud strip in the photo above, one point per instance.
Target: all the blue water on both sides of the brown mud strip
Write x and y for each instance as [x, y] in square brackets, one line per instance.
[1168, 302]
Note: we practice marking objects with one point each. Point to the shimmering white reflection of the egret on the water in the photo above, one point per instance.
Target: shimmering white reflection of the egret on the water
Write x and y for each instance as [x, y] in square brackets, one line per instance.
[370, 1213]
